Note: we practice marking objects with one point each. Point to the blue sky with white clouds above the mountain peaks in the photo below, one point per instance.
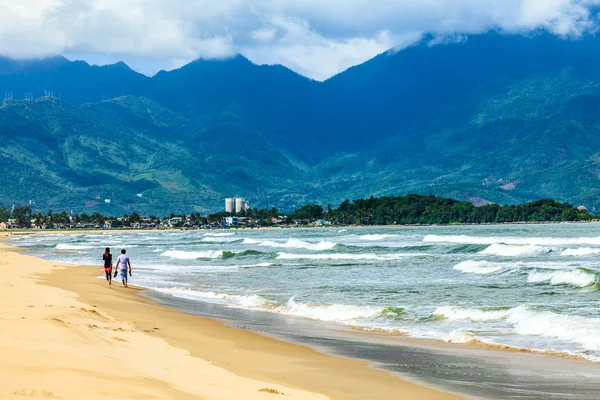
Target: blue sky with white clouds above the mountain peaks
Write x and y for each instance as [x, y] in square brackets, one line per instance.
[316, 38]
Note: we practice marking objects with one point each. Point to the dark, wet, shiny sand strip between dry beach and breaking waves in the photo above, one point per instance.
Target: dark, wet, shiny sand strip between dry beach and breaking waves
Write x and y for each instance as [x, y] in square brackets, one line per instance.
[489, 372]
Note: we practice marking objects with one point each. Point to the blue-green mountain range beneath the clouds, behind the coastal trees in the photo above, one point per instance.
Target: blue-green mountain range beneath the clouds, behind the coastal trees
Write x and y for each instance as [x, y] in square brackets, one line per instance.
[492, 118]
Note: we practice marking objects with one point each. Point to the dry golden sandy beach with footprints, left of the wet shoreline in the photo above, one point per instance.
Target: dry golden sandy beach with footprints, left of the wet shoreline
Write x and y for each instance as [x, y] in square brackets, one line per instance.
[66, 335]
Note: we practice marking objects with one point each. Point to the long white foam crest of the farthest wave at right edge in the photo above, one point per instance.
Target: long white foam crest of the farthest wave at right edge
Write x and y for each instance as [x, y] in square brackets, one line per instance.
[540, 241]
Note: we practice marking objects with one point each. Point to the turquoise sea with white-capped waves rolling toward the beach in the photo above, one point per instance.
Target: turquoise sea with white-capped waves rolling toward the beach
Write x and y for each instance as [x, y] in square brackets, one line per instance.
[528, 286]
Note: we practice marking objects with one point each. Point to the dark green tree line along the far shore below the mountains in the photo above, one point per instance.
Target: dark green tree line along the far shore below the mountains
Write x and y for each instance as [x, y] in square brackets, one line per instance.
[406, 210]
